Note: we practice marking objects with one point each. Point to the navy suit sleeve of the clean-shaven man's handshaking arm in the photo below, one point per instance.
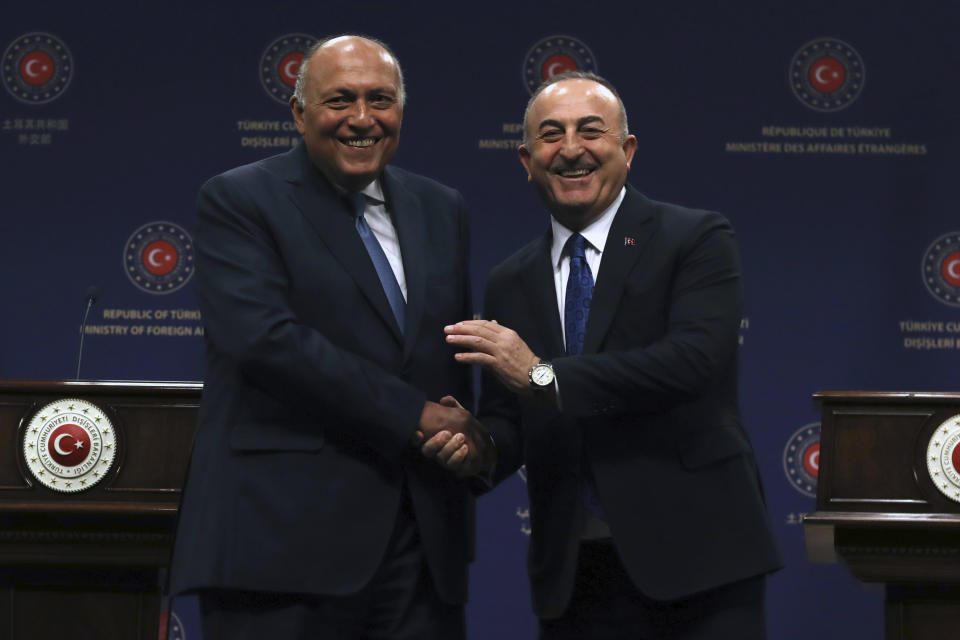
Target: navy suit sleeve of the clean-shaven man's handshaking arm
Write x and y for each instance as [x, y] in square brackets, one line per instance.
[242, 286]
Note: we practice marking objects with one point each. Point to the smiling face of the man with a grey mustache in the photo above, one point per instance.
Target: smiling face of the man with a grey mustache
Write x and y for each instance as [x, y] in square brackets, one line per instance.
[577, 155]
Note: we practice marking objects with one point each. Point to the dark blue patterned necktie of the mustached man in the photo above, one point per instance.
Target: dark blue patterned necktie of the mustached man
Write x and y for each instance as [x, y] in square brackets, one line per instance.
[576, 310]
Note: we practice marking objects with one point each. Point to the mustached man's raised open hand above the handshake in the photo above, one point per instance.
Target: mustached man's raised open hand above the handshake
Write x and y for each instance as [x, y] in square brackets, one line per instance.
[497, 348]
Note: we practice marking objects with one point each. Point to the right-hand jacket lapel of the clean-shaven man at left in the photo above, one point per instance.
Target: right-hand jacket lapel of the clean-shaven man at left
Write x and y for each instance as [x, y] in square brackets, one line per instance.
[411, 224]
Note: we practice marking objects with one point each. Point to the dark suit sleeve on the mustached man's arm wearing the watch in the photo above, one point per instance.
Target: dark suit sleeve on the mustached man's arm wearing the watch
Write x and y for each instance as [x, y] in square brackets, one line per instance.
[702, 320]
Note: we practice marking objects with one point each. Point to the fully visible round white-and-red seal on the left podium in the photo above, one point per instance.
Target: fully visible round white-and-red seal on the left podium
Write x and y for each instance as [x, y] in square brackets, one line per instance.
[69, 445]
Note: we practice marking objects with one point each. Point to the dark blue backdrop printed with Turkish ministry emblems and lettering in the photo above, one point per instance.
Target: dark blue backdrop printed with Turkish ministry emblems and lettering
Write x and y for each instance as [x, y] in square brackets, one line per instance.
[824, 130]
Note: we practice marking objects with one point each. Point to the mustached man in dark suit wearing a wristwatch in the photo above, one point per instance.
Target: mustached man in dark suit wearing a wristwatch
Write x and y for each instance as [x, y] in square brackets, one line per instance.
[610, 369]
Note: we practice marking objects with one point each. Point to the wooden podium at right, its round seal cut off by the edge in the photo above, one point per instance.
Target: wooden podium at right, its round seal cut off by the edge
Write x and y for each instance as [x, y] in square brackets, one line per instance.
[888, 503]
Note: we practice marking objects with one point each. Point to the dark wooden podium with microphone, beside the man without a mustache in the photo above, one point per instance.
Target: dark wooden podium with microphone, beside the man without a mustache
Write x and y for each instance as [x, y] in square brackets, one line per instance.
[87, 515]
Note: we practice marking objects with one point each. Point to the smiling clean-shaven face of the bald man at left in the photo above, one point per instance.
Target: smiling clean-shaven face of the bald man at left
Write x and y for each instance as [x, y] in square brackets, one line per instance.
[351, 111]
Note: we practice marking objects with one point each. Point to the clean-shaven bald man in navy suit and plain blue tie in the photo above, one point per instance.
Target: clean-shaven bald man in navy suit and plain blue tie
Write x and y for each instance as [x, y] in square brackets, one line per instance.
[325, 278]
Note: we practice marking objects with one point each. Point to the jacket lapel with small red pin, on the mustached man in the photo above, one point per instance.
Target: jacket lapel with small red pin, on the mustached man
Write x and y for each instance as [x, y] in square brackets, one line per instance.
[629, 235]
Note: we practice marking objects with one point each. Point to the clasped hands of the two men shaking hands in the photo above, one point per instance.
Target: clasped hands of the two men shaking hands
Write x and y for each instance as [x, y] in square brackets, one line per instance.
[456, 440]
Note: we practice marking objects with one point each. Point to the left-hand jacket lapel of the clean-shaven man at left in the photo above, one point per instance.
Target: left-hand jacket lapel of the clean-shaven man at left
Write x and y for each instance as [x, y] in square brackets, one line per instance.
[331, 217]
